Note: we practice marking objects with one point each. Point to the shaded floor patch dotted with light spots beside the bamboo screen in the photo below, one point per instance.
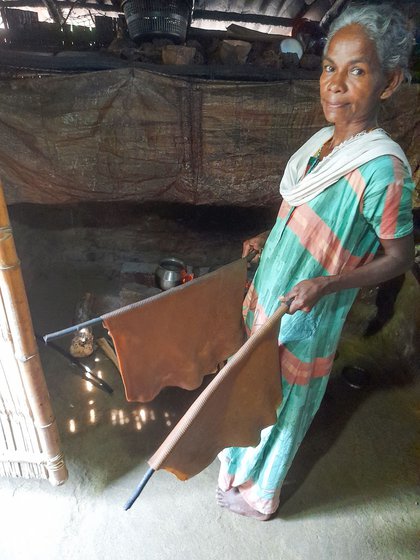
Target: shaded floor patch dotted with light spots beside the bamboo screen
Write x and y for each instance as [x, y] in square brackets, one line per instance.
[104, 437]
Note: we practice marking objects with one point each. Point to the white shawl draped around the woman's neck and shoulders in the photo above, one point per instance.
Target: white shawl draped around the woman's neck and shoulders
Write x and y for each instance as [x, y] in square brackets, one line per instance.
[351, 154]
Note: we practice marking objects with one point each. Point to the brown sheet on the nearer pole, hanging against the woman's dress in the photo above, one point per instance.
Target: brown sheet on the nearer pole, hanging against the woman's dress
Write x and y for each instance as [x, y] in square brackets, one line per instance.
[240, 401]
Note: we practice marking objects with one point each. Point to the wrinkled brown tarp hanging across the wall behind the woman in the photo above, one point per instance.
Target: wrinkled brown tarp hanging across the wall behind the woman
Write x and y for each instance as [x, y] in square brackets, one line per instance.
[137, 135]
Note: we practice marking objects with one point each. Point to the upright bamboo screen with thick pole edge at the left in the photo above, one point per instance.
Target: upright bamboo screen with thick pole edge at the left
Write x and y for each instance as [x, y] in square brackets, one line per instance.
[29, 440]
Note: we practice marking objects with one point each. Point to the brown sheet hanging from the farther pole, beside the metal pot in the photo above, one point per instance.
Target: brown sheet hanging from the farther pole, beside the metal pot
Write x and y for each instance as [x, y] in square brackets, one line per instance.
[177, 337]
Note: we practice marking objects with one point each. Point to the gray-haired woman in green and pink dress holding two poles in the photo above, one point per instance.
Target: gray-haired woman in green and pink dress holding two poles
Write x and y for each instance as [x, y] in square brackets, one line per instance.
[346, 192]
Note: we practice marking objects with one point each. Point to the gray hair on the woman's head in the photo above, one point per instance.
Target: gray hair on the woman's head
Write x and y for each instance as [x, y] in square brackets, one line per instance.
[386, 26]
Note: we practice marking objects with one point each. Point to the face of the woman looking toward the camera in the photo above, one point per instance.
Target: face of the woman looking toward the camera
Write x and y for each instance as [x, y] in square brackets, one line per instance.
[352, 80]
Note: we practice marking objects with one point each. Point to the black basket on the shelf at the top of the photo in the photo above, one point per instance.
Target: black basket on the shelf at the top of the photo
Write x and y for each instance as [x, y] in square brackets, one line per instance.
[147, 19]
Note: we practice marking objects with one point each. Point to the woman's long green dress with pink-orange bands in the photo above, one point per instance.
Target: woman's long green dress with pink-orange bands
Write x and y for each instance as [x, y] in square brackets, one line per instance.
[337, 231]
